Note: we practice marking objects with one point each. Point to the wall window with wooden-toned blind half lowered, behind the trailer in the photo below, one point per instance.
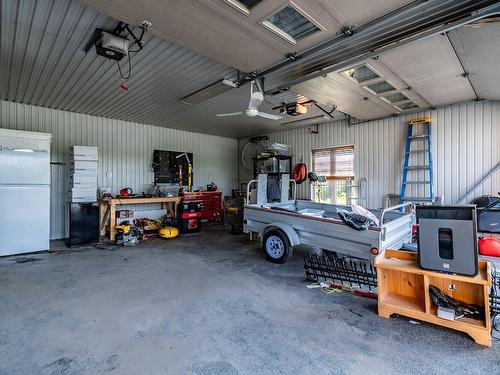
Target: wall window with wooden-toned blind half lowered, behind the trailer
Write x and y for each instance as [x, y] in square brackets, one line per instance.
[336, 164]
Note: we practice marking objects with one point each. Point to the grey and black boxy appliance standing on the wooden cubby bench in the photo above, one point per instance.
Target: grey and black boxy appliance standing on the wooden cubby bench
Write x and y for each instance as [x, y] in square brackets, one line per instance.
[447, 239]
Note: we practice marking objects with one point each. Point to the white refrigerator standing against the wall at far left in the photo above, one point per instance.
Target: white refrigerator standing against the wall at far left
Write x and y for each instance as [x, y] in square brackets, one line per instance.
[24, 191]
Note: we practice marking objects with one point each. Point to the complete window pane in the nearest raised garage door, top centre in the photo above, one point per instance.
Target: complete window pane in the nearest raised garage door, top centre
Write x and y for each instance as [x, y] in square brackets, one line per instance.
[291, 24]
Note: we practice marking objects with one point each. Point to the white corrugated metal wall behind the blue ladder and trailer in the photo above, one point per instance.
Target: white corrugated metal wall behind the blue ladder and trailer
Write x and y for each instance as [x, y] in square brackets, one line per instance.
[466, 145]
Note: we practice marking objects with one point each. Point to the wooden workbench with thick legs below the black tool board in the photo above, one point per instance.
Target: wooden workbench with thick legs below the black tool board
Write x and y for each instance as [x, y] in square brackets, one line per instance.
[107, 210]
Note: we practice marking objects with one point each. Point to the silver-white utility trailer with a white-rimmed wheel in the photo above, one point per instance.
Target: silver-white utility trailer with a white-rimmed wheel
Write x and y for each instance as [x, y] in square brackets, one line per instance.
[286, 224]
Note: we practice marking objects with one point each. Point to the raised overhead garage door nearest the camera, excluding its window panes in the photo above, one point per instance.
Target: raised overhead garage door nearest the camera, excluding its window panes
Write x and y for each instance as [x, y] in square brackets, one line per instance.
[237, 38]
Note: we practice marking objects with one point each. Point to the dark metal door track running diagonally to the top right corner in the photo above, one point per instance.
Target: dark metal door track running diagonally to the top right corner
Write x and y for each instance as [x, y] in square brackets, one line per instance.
[407, 24]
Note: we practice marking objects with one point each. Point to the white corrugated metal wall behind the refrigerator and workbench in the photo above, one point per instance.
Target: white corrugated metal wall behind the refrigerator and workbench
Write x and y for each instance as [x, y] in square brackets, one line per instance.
[125, 150]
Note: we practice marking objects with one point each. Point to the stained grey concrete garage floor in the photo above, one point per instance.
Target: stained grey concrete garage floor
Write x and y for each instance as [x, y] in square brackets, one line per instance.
[208, 303]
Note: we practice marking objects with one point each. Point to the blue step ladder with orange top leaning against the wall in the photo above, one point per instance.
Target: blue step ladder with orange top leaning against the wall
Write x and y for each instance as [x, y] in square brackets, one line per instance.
[418, 163]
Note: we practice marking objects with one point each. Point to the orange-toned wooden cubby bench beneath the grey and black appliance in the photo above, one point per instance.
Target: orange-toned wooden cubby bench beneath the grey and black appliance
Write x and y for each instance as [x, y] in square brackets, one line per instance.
[403, 288]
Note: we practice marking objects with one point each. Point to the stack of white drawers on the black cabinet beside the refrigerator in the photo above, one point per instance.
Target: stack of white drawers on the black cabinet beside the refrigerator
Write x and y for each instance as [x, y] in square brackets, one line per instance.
[83, 174]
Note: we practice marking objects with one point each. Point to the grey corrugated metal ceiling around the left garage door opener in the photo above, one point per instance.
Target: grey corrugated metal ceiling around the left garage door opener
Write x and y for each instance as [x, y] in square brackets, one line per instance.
[42, 63]
